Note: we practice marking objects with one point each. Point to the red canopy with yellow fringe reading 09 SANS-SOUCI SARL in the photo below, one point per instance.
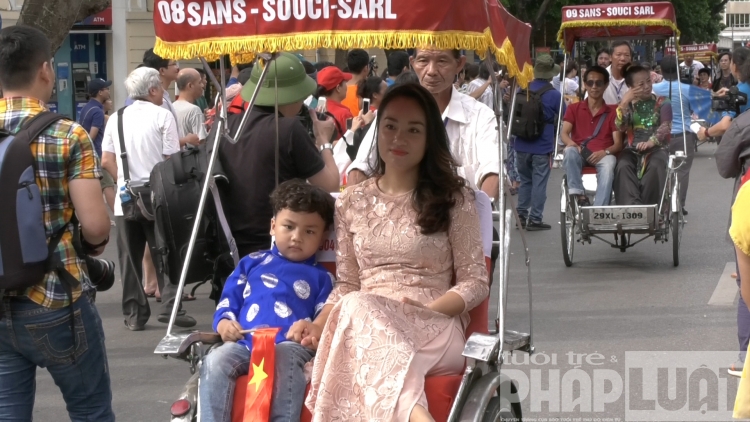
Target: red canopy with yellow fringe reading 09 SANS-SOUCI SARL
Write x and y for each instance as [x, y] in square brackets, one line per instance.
[616, 21]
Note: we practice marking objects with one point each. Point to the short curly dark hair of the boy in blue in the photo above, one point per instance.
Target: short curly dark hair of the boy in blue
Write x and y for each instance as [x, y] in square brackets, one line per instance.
[299, 196]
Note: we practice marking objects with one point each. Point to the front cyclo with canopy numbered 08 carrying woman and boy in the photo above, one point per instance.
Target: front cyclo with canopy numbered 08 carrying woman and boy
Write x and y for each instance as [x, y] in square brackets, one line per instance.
[482, 392]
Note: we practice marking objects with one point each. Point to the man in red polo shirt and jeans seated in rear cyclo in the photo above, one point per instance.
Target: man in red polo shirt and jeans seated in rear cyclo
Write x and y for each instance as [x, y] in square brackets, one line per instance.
[590, 126]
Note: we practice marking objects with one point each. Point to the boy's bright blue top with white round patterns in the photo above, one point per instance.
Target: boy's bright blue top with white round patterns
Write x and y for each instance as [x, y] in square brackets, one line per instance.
[268, 290]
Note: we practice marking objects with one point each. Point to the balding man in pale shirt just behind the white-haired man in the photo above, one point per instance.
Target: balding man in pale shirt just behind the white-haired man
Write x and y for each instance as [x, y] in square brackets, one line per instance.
[189, 116]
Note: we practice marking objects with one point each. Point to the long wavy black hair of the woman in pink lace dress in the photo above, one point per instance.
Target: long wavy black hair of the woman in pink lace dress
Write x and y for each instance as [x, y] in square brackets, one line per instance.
[439, 186]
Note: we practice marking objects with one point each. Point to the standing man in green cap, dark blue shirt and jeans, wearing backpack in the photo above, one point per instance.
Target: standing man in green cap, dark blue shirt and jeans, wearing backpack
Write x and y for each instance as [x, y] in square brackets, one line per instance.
[533, 155]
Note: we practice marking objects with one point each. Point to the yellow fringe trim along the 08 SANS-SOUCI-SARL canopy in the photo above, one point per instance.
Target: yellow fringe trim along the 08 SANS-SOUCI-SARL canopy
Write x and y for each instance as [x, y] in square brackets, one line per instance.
[242, 49]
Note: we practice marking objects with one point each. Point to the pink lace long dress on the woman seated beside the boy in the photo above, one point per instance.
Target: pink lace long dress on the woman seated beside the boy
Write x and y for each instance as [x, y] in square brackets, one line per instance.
[375, 350]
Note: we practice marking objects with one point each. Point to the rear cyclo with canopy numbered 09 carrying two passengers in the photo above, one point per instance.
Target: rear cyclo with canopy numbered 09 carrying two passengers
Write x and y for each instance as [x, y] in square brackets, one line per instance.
[663, 221]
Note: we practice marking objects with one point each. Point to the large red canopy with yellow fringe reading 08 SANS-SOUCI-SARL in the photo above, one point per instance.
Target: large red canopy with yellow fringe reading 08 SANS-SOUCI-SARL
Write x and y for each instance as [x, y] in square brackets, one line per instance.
[191, 28]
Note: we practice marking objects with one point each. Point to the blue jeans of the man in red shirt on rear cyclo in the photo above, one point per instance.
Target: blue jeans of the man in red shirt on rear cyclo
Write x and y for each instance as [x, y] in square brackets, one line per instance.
[605, 175]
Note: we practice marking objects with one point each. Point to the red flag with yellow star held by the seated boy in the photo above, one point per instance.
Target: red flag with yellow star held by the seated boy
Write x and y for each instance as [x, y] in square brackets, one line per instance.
[260, 386]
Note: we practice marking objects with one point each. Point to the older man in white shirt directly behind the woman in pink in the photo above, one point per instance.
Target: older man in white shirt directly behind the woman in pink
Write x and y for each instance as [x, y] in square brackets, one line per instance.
[471, 125]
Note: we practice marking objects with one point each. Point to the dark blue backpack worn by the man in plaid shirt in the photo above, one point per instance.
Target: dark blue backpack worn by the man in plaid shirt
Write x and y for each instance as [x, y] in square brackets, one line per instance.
[25, 254]
